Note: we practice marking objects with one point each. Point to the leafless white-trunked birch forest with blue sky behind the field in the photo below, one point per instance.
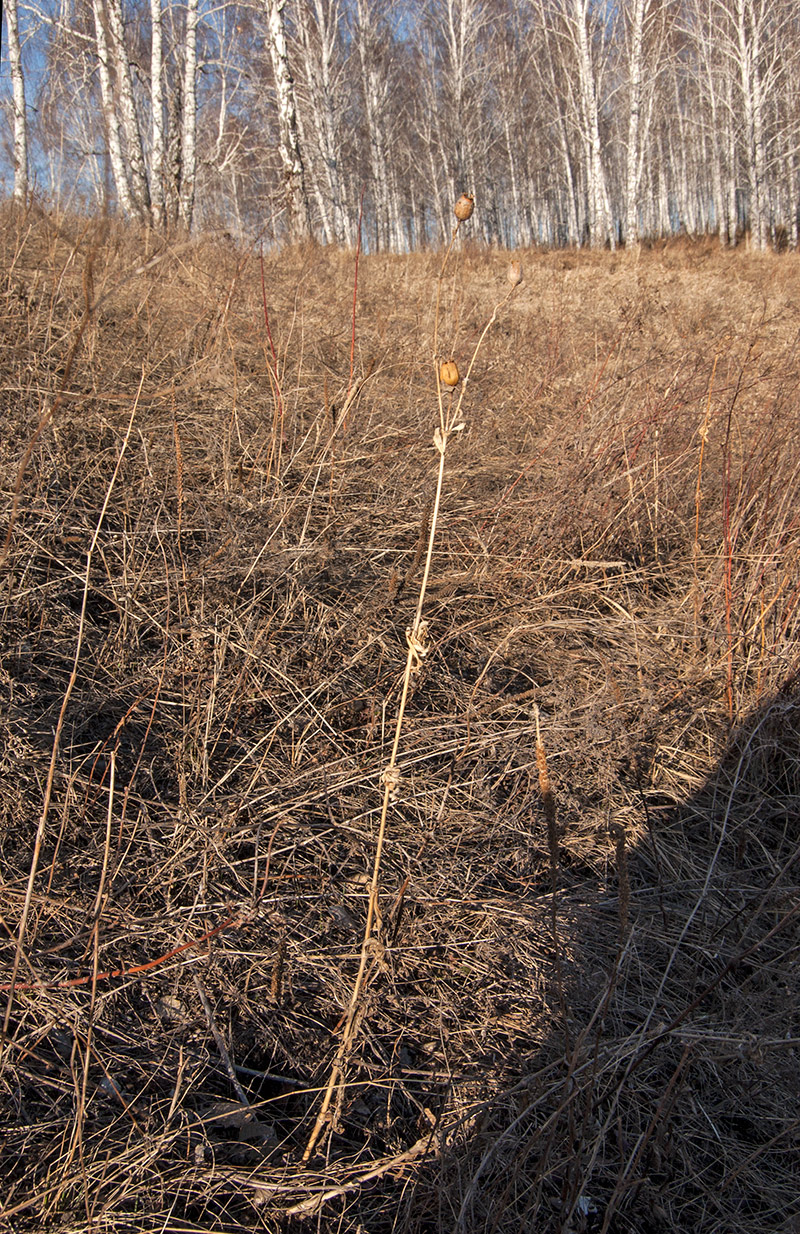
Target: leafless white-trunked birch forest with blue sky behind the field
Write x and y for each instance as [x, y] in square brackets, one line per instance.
[597, 123]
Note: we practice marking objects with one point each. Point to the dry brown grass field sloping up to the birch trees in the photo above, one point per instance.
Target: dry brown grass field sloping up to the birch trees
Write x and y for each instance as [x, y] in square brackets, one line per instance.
[578, 1009]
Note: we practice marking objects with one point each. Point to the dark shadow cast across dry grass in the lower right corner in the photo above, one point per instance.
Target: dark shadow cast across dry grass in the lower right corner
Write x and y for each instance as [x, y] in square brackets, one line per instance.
[667, 1098]
